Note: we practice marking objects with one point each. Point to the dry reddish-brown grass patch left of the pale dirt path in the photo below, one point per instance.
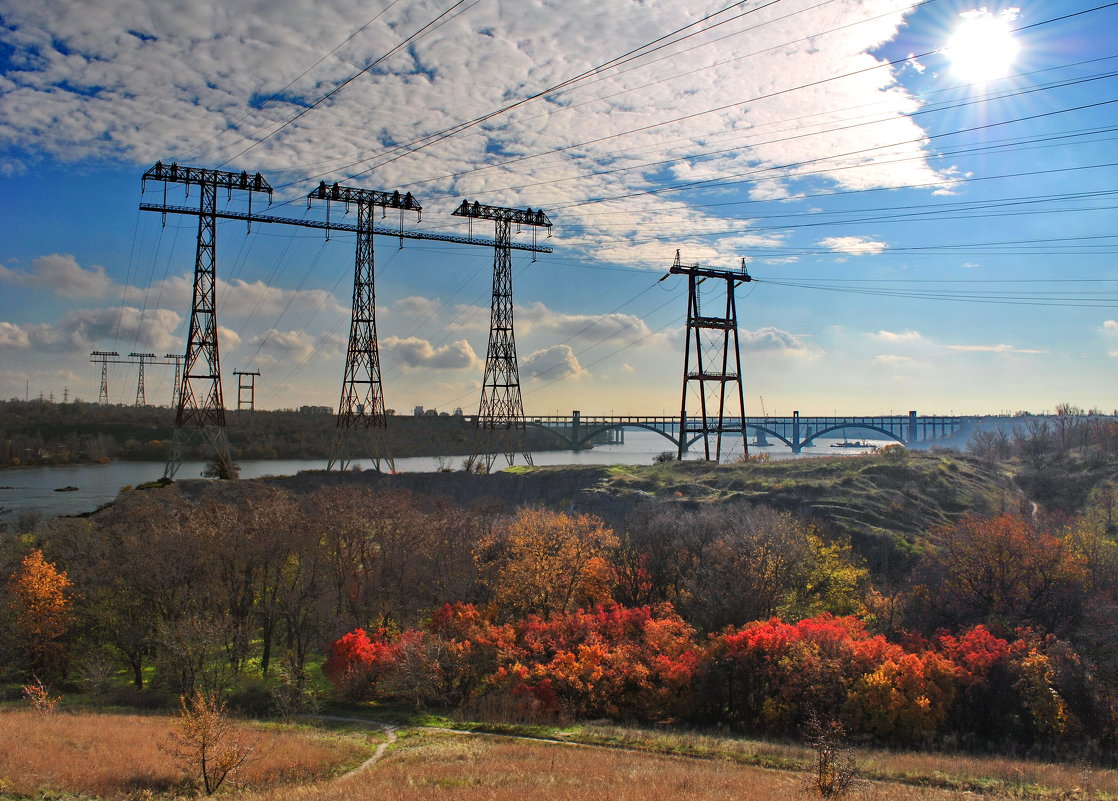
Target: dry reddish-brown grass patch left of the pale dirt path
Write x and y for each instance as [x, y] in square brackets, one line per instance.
[111, 757]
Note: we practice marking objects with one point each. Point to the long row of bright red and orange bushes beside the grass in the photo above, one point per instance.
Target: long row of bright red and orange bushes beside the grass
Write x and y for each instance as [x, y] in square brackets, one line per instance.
[645, 663]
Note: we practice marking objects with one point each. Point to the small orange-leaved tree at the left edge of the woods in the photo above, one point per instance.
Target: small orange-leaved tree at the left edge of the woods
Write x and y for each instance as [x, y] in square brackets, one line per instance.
[43, 612]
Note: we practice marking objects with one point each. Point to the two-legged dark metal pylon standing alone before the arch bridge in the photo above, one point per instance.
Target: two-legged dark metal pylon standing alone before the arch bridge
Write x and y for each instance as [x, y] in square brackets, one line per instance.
[721, 373]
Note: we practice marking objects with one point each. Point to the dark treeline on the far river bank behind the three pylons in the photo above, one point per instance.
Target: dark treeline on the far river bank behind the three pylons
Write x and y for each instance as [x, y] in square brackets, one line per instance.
[34, 432]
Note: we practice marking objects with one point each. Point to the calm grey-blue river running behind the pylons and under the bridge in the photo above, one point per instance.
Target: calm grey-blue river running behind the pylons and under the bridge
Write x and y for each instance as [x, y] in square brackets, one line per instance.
[36, 489]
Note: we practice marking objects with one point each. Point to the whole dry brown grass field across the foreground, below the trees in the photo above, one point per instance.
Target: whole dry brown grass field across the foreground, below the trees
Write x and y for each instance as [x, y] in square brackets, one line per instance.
[119, 757]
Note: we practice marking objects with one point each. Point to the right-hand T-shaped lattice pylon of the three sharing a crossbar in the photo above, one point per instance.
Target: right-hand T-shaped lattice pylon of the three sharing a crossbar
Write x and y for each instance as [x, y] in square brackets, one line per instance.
[501, 411]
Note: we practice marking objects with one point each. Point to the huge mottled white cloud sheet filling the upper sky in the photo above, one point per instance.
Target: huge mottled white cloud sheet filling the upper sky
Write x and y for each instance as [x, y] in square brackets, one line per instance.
[137, 80]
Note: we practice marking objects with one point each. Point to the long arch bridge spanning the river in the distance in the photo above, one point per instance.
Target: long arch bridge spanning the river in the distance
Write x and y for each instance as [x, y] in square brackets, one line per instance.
[798, 432]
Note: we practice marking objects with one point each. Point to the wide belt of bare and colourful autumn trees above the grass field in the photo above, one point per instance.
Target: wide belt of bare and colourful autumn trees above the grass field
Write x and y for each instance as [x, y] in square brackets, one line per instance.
[713, 614]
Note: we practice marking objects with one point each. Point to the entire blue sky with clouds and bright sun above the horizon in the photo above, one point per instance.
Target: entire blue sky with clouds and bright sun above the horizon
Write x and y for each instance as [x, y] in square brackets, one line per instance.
[921, 239]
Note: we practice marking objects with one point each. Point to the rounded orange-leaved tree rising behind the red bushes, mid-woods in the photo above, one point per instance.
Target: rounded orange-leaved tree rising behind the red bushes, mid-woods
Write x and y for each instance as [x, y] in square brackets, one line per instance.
[547, 563]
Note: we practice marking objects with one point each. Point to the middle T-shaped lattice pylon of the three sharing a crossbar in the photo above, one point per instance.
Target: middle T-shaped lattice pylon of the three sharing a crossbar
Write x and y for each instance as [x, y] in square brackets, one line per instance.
[362, 416]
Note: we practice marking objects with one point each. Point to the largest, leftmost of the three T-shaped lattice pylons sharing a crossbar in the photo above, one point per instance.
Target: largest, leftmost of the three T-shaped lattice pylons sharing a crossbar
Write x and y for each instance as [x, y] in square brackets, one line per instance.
[202, 407]
